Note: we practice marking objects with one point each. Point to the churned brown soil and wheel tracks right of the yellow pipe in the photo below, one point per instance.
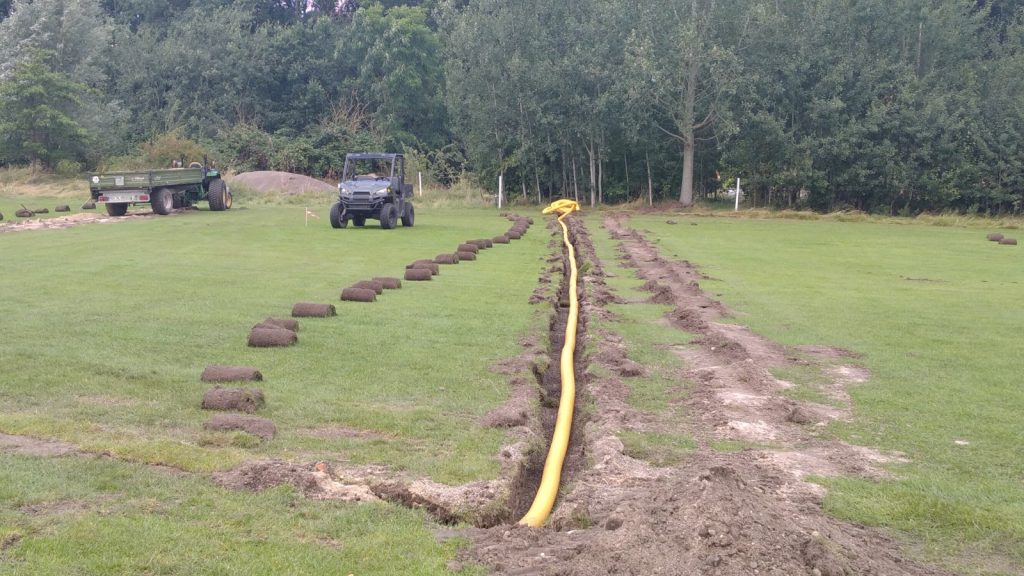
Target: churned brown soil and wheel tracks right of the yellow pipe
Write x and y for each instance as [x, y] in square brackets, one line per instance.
[731, 514]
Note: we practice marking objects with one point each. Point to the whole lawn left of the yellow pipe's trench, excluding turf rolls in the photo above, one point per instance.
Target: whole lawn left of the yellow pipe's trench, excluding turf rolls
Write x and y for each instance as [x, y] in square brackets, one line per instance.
[107, 330]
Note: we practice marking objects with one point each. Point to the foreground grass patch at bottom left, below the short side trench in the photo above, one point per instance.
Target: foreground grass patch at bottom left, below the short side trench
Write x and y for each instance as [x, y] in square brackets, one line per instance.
[84, 516]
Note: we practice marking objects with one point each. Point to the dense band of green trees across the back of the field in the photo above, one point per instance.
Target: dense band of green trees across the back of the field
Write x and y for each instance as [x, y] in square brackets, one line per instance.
[891, 107]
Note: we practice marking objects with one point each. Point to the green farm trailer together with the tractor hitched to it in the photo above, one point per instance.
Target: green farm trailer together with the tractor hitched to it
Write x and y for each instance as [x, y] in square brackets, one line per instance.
[164, 190]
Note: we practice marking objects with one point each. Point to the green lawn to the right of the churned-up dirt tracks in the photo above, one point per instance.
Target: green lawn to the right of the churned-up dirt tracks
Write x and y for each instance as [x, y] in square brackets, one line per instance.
[935, 311]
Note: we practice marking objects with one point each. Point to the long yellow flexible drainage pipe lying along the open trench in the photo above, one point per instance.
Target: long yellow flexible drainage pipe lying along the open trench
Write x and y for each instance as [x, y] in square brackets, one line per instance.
[548, 490]
